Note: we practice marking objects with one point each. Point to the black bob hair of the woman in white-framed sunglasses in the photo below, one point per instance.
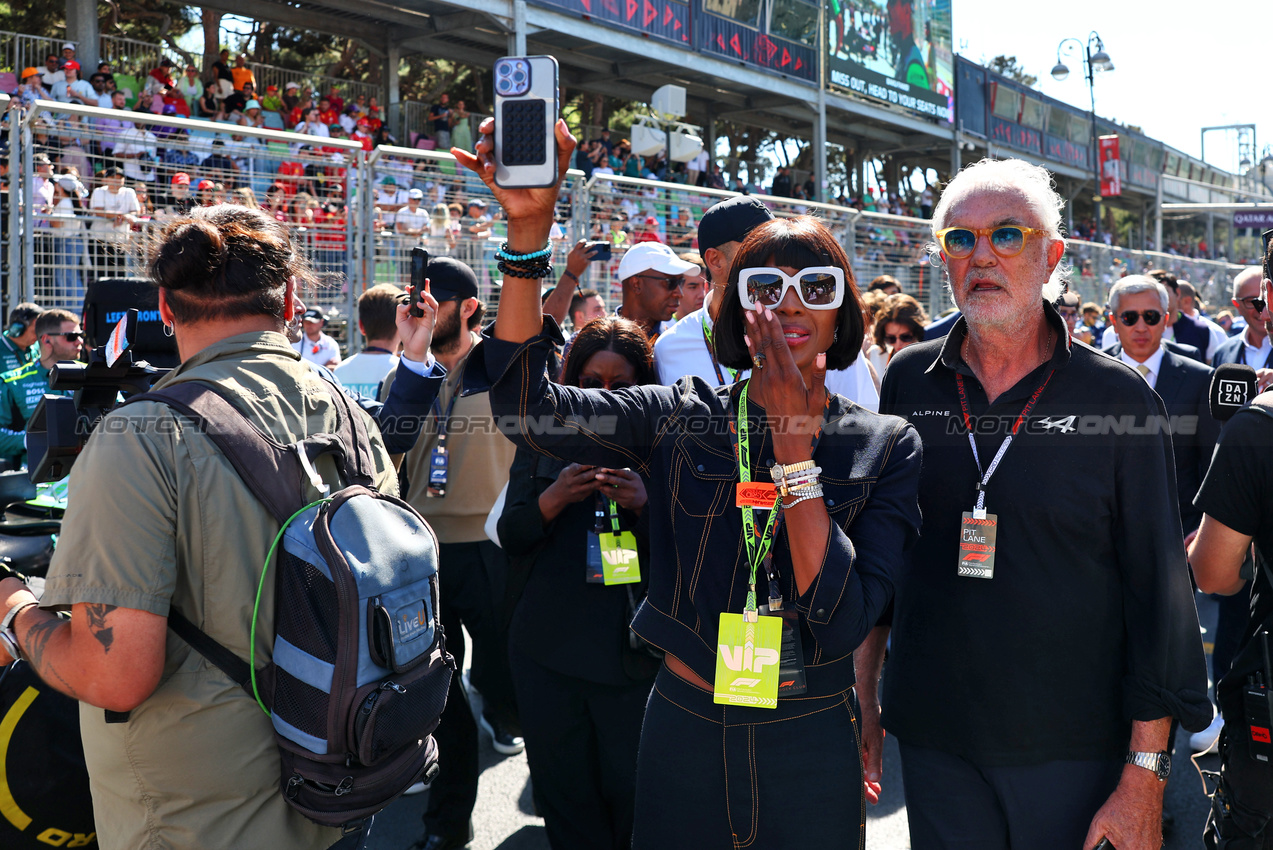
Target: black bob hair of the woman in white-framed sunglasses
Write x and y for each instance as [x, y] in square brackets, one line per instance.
[800, 242]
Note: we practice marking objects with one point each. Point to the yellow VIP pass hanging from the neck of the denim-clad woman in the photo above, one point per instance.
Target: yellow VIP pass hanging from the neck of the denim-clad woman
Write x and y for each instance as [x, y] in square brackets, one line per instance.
[748, 661]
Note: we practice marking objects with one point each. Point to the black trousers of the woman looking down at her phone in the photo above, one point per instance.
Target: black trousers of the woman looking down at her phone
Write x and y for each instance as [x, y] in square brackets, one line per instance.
[581, 744]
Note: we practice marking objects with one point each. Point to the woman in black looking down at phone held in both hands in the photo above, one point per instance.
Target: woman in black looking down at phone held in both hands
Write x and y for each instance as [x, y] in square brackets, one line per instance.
[582, 684]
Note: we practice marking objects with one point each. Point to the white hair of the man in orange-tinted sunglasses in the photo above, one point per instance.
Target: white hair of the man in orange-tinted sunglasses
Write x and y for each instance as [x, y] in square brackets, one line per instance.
[1034, 184]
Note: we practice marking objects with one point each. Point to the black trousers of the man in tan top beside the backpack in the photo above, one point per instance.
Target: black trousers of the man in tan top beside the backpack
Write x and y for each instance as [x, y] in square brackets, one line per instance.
[472, 578]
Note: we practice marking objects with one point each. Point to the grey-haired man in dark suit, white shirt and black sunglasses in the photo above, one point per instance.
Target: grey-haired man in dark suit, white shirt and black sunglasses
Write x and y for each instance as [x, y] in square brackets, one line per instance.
[1140, 307]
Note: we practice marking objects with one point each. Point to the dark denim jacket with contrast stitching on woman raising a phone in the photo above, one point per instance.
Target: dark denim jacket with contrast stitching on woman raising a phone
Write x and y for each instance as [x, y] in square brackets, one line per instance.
[680, 440]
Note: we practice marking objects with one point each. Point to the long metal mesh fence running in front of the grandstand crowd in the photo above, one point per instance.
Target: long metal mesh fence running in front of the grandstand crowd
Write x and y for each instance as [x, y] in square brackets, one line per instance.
[358, 230]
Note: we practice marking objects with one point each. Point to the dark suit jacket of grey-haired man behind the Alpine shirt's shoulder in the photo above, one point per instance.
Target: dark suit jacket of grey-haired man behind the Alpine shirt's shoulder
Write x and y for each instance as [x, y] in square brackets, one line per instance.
[1185, 386]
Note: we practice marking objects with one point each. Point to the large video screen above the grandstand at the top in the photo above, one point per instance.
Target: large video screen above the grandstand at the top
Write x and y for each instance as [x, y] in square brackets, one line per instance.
[894, 52]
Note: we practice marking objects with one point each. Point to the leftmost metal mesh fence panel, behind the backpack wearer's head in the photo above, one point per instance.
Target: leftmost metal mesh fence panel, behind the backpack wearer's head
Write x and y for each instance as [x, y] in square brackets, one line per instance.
[106, 181]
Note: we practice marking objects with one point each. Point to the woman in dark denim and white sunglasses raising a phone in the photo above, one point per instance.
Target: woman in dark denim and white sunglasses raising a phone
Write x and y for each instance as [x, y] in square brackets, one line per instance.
[716, 769]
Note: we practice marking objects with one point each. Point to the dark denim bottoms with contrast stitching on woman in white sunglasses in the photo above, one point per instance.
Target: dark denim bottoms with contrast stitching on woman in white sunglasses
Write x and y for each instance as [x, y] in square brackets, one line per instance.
[720, 778]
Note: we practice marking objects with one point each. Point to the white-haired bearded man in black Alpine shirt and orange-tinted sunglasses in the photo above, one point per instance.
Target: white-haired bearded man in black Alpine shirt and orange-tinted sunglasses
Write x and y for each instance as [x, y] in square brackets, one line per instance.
[1044, 634]
